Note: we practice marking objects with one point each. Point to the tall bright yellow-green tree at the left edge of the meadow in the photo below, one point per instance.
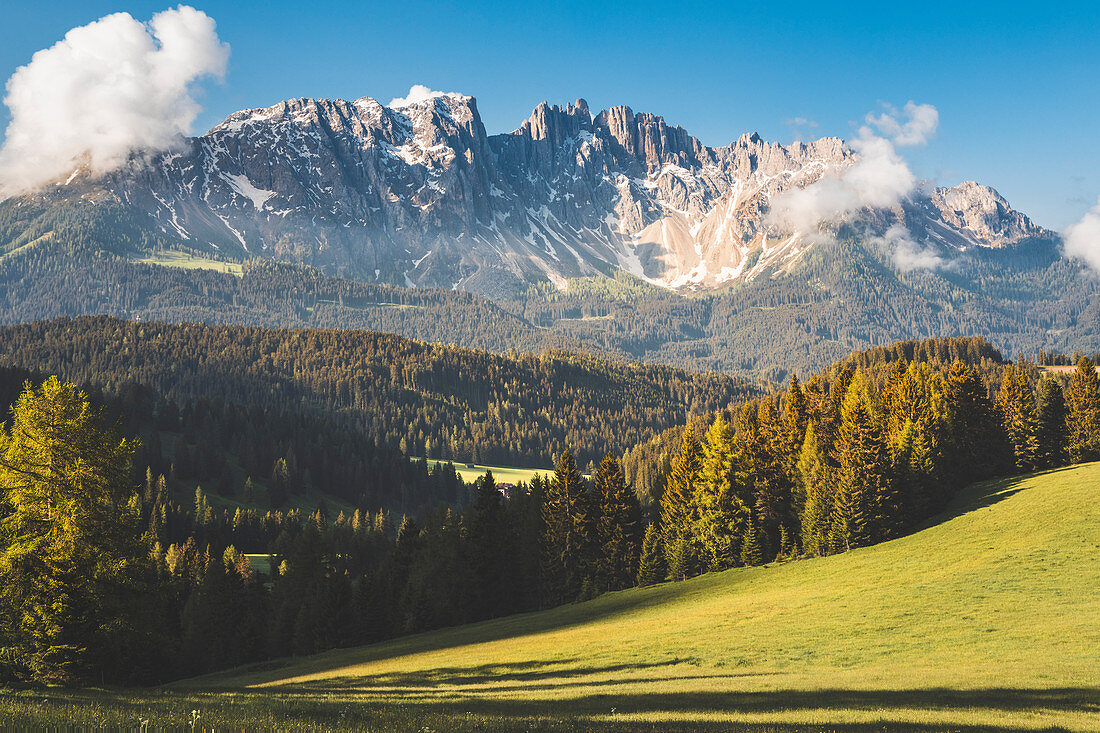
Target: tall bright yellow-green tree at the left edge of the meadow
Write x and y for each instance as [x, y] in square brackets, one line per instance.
[72, 563]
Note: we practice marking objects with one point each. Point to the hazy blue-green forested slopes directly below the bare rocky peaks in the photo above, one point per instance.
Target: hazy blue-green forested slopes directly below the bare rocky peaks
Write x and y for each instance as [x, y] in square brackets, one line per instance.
[843, 297]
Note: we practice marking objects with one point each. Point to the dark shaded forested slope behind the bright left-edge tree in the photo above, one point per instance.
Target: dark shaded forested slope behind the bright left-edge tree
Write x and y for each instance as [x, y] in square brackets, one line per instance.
[227, 465]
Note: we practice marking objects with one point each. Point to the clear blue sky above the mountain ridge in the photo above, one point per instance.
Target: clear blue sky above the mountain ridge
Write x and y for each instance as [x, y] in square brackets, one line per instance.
[1017, 85]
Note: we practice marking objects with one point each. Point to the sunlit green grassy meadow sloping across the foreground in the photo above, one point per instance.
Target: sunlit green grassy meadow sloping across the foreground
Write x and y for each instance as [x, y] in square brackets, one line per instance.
[987, 620]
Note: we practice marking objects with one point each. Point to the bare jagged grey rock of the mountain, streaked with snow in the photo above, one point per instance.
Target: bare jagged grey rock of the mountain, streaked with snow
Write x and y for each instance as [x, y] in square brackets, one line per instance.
[420, 195]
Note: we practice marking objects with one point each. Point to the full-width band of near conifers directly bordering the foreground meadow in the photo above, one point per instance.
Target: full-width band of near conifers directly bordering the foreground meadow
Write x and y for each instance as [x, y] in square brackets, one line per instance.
[854, 457]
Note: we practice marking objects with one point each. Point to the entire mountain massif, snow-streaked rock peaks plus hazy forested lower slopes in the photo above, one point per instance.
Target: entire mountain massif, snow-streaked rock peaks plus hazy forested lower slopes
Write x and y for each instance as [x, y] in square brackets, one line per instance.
[613, 233]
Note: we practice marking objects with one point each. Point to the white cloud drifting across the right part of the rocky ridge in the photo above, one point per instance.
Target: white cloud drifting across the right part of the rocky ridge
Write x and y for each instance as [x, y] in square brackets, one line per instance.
[879, 178]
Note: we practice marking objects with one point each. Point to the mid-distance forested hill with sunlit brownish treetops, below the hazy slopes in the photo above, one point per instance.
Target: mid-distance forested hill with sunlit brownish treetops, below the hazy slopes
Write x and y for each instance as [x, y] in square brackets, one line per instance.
[423, 399]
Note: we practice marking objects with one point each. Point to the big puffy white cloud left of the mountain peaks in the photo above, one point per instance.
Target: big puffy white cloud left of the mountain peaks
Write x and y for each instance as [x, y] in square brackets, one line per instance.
[106, 91]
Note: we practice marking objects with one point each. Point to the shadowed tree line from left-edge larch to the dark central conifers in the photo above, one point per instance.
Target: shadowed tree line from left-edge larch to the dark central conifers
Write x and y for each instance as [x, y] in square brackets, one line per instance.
[105, 579]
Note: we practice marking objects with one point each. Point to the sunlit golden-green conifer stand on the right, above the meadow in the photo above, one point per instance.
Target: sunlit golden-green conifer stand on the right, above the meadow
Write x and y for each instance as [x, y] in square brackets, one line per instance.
[857, 455]
